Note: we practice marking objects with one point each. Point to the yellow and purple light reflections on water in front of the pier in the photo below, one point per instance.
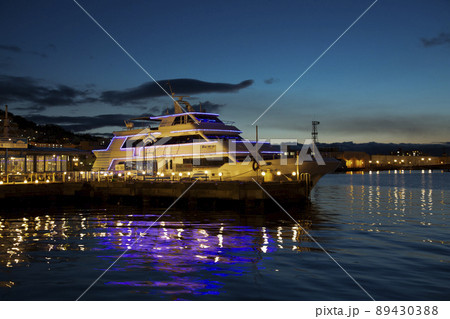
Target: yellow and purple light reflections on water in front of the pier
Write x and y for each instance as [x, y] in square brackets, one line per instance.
[180, 246]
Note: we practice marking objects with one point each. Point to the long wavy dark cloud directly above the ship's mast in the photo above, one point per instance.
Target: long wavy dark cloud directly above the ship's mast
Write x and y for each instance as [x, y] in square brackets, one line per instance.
[179, 86]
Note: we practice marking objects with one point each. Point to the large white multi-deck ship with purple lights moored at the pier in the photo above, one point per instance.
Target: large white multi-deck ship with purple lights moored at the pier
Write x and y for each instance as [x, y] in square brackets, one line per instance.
[191, 144]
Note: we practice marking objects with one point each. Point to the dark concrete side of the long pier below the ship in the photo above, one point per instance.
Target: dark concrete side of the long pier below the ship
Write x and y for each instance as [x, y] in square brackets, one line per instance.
[154, 193]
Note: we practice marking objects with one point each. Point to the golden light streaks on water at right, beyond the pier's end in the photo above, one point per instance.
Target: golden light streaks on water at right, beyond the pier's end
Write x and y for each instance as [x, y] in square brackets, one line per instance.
[391, 201]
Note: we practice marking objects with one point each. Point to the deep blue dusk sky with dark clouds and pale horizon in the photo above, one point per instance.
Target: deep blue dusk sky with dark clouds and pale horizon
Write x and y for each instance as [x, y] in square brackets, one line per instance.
[386, 80]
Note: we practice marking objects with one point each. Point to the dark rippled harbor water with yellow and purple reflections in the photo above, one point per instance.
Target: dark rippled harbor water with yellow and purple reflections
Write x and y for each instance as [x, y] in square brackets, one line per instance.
[389, 230]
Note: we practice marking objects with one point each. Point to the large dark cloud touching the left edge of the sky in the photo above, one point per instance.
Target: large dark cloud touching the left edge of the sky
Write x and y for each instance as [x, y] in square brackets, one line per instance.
[39, 96]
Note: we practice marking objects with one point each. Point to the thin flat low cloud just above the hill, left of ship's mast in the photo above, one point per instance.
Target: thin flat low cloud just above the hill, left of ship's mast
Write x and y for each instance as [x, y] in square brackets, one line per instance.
[84, 123]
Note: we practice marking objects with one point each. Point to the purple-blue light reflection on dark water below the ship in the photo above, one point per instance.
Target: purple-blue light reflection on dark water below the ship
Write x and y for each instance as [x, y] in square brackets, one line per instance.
[182, 252]
